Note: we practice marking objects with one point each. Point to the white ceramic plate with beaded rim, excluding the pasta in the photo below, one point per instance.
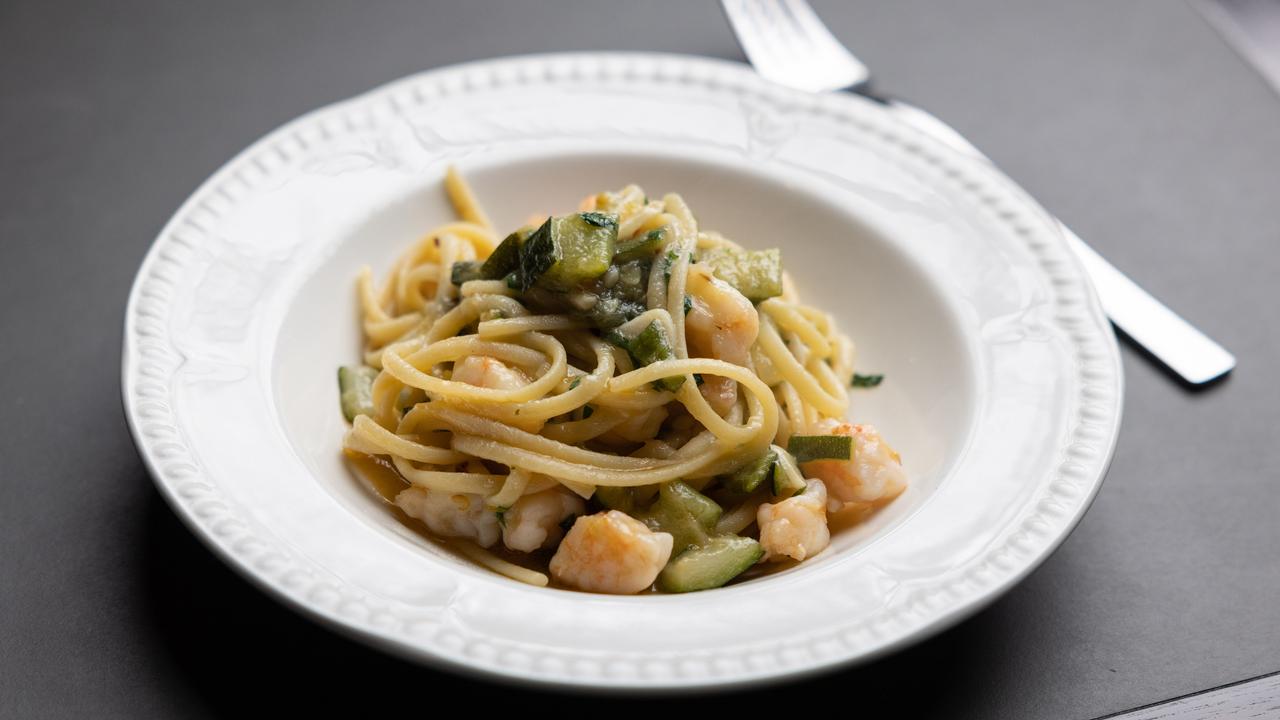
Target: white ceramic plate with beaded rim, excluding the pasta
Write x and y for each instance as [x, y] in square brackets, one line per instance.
[1003, 389]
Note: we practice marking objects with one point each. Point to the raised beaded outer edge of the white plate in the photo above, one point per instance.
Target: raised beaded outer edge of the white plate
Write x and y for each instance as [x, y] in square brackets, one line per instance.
[662, 67]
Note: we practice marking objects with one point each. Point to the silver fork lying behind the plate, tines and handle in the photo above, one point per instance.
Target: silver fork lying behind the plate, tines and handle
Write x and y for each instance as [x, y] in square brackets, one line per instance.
[788, 44]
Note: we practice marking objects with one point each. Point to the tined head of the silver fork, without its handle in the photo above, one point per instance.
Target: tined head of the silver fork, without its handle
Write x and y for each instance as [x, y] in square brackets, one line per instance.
[789, 44]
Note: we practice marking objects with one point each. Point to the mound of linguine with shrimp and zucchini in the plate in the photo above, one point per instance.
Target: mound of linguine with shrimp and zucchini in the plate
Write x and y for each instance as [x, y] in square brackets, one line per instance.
[611, 400]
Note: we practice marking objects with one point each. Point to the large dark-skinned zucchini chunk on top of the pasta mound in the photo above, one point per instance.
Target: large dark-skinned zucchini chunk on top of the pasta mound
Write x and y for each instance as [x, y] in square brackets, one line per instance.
[569, 250]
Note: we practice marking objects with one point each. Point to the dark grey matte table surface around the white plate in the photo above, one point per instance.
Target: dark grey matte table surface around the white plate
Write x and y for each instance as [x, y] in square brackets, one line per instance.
[1133, 121]
